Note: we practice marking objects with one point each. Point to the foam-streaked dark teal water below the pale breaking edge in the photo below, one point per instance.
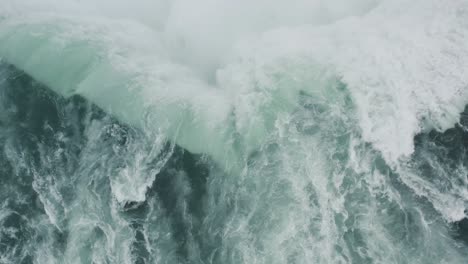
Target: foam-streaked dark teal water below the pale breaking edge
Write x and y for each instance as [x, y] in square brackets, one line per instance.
[61, 156]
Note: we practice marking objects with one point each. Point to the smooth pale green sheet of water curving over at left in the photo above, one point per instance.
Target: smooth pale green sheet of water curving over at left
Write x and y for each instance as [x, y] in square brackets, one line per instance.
[140, 88]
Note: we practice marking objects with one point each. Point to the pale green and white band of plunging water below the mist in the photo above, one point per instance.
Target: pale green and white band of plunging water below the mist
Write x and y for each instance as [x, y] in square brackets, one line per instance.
[132, 62]
